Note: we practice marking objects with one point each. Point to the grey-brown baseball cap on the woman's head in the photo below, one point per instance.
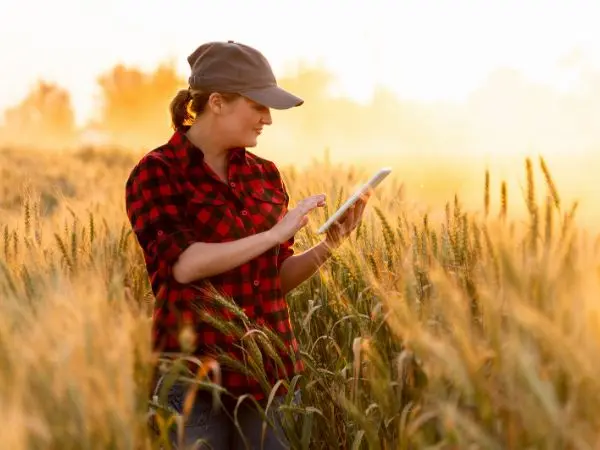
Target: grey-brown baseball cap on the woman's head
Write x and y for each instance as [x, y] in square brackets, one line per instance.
[232, 67]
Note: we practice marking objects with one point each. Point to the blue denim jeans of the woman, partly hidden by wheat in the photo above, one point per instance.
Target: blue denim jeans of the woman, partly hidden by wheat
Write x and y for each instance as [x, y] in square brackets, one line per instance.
[206, 428]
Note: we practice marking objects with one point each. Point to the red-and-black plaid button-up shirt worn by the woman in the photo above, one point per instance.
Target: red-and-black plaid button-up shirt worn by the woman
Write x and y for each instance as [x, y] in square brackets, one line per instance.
[174, 199]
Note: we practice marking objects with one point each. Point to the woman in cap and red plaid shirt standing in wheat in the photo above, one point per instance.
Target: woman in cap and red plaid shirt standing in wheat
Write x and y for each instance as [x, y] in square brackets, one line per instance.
[207, 211]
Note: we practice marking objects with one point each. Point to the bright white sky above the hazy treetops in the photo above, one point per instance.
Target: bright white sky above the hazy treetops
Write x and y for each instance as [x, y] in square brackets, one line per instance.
[424, 50]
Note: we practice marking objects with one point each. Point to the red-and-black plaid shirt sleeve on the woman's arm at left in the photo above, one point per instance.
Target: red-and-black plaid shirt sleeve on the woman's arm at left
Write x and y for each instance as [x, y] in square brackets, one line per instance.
[156, 211]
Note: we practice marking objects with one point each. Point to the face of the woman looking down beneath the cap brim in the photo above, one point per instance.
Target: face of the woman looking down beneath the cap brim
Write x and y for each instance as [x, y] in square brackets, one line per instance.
[241, 121]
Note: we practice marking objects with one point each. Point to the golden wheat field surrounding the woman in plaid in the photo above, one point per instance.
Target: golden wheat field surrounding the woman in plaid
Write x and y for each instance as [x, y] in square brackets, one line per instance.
[450, 329]
